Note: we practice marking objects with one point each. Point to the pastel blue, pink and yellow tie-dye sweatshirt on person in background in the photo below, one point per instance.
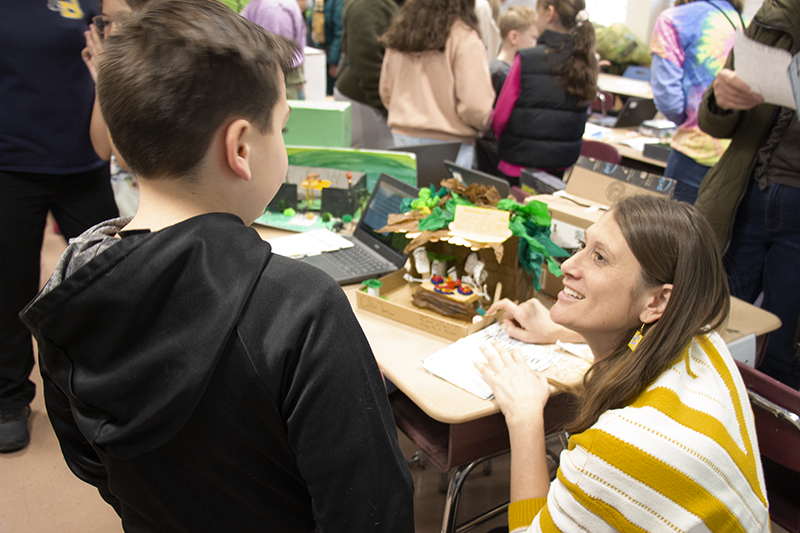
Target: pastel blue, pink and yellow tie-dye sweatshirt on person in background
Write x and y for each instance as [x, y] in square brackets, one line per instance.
[690, 45]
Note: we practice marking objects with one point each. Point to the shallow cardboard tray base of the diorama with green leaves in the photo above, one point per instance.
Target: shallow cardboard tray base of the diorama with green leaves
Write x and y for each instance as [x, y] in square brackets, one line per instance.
[395, 303]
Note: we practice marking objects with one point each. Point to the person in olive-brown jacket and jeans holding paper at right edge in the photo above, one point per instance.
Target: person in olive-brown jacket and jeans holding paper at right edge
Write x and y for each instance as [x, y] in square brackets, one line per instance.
[751, 196]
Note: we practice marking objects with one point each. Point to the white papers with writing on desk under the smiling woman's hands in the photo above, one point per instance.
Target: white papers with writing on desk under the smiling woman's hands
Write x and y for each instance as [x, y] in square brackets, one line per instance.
[455, 362]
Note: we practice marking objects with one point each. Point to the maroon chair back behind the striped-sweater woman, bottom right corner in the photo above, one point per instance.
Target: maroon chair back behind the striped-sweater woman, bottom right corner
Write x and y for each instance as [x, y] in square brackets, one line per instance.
[776, 409]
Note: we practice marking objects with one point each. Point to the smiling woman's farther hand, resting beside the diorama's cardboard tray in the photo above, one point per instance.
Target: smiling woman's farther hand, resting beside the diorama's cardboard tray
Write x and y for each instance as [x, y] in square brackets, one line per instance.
[530, 322]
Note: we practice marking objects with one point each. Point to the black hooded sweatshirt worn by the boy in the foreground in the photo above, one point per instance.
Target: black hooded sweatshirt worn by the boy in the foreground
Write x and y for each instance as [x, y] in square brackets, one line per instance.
[203, 384]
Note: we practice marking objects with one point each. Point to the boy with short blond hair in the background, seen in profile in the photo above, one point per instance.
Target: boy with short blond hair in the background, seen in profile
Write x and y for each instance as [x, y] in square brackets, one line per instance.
[518, 31]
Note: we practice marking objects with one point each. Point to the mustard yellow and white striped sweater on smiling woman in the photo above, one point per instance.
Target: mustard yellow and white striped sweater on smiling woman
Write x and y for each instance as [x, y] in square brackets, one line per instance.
[682, 457]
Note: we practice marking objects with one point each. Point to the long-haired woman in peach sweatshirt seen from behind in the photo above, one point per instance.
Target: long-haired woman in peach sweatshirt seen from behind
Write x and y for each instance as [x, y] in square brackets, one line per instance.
[435, 80]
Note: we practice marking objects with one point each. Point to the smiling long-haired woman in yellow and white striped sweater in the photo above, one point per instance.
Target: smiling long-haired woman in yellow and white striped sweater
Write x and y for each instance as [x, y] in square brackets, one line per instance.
[663, 437]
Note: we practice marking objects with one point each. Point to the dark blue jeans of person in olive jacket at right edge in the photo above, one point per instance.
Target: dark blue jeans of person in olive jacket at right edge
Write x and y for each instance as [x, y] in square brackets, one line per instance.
[764, 255]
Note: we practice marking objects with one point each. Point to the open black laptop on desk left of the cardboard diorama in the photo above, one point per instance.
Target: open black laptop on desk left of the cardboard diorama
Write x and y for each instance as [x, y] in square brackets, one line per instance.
[373, 254]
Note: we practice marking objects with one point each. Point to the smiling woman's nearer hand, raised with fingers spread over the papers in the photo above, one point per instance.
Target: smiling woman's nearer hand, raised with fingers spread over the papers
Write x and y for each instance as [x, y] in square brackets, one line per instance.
[520, 392]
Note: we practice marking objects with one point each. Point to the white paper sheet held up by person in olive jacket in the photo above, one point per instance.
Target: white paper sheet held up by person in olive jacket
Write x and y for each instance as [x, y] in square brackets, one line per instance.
[764, 68]
